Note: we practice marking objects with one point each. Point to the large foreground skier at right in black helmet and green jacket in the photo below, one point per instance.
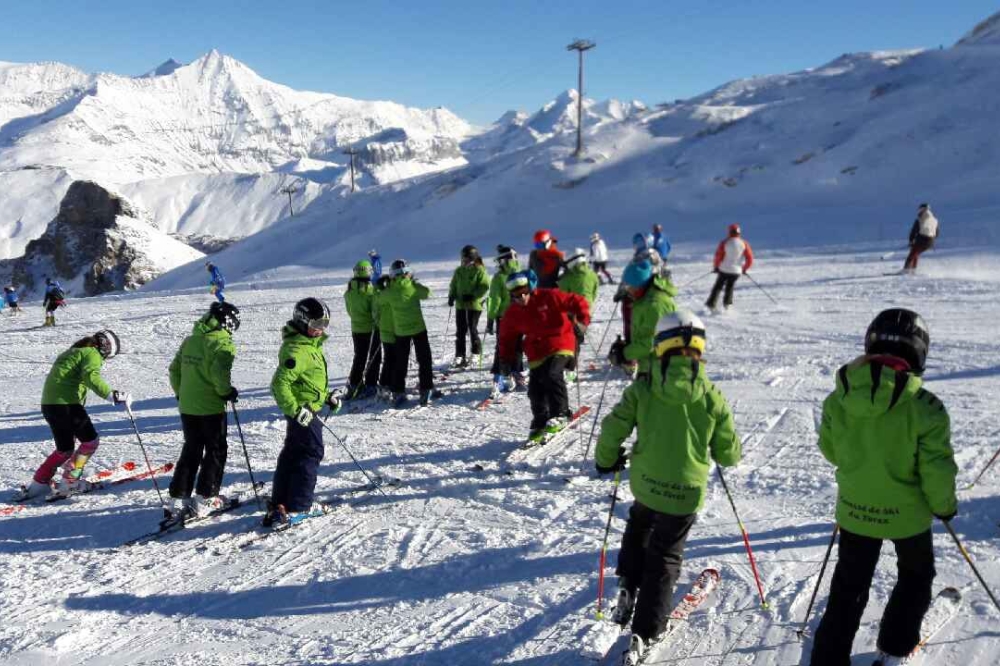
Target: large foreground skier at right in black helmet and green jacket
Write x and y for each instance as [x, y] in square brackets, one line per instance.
[890, 440]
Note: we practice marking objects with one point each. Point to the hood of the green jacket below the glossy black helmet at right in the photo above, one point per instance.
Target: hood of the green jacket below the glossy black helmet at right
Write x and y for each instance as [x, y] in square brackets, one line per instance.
[867, 388]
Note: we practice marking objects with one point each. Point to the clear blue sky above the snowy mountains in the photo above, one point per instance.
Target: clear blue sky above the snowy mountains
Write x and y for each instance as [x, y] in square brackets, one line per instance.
[481, 58]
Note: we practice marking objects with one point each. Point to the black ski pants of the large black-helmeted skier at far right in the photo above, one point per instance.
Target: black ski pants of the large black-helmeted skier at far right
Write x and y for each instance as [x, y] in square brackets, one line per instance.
[899, 632]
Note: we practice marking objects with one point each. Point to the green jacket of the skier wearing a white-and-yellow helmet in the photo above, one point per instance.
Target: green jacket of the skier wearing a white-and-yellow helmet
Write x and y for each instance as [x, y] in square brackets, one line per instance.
[684, 424]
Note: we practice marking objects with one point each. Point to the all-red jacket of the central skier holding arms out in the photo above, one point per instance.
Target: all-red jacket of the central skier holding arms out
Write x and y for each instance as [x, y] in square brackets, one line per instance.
[544, 323]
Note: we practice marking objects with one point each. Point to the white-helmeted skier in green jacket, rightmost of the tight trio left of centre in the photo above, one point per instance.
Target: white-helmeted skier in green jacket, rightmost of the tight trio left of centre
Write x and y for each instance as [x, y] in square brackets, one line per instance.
[404, 295]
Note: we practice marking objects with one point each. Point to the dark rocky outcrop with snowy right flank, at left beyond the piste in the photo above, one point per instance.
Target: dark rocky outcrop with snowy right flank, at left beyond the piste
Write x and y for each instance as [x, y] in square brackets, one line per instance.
[99, 242]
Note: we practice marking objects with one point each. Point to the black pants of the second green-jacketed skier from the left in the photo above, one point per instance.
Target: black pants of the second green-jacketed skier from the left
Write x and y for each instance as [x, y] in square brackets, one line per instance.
[203, 455]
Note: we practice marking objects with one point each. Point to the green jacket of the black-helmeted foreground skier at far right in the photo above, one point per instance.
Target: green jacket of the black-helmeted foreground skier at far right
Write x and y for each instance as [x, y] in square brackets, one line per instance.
[890, 441]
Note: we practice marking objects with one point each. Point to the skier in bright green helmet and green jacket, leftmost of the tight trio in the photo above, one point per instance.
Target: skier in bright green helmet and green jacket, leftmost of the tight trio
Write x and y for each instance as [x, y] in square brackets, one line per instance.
[359, 298]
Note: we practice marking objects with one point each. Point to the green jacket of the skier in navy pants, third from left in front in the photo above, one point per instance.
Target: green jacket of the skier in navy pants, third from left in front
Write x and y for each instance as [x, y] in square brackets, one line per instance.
[301, 377]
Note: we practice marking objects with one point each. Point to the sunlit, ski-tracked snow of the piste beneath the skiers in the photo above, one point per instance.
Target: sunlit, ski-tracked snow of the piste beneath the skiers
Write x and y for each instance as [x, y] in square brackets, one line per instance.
[458, 566]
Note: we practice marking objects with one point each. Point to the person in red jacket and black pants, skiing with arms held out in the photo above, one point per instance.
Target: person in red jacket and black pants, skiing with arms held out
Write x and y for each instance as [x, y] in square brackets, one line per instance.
[545, 320]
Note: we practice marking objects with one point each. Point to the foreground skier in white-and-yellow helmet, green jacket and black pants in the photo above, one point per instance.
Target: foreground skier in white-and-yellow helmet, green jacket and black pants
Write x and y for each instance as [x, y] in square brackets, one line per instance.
[683, 423]
